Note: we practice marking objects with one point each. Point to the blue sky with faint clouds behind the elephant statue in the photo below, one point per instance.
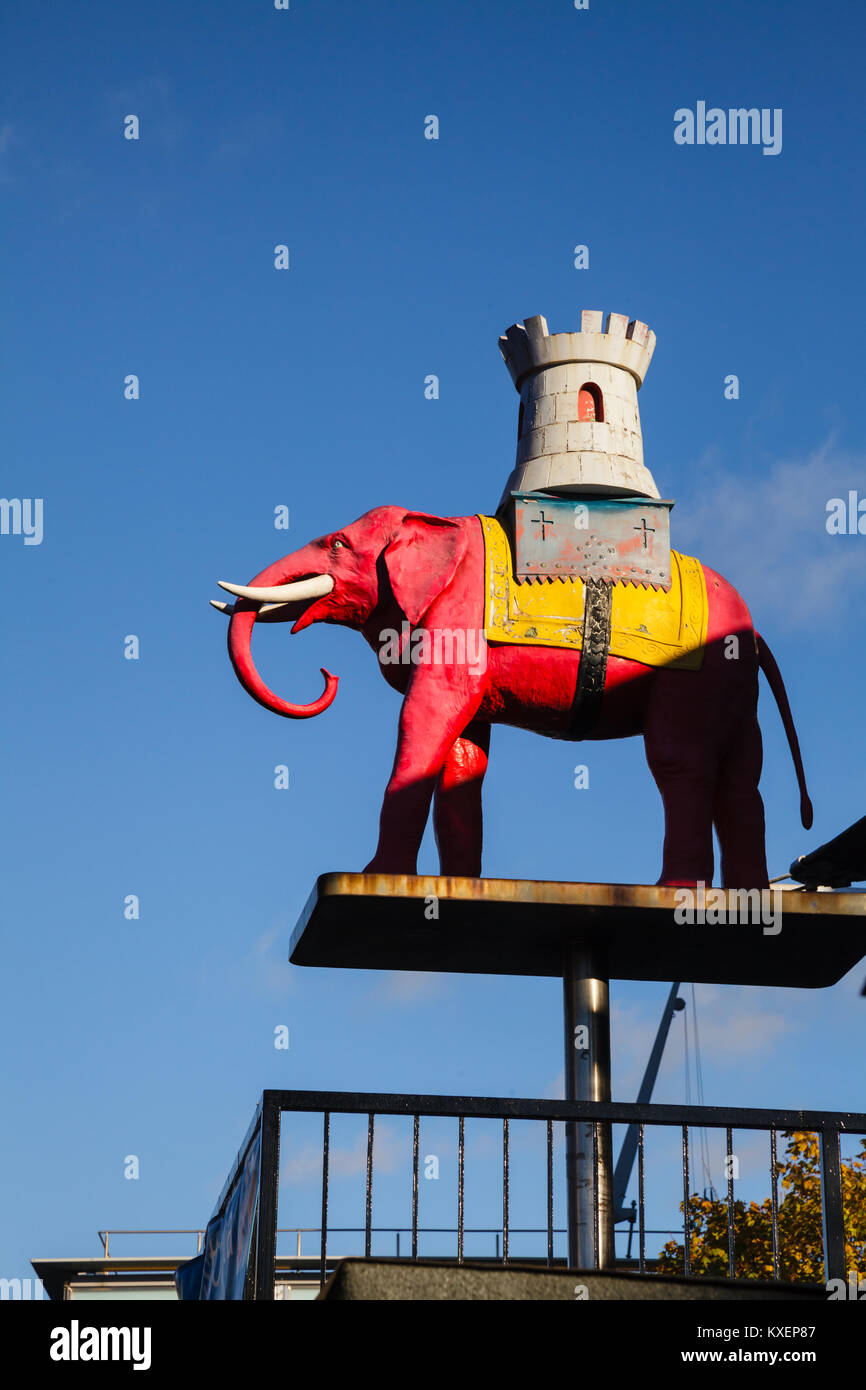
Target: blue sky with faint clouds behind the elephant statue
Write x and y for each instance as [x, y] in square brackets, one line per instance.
[307, 389]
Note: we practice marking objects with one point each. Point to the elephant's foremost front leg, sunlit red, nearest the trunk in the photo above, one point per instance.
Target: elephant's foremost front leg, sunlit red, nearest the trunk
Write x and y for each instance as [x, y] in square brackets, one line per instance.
[436, 712]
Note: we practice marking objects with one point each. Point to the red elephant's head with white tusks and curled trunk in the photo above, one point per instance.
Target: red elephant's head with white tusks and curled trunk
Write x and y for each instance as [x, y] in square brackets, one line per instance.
[390, 558]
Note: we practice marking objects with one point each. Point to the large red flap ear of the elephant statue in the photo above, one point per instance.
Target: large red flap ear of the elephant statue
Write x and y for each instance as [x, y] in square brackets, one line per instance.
[422, 561]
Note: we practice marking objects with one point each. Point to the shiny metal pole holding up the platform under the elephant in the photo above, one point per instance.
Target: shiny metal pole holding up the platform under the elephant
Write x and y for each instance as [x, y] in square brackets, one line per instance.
[589, 1166]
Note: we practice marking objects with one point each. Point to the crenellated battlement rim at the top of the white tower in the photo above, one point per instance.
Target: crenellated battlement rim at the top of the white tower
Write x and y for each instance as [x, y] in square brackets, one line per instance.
[622, 343]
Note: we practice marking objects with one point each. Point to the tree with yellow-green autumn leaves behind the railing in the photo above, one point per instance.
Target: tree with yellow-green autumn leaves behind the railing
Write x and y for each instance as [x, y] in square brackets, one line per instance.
[801, 1256]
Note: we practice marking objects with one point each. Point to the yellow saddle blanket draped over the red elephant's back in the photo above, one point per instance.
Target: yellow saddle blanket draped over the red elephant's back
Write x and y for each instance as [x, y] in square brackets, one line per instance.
[653, 626]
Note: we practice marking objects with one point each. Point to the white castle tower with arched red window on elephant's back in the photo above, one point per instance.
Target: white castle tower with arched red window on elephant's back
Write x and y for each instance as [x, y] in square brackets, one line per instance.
[579, 429]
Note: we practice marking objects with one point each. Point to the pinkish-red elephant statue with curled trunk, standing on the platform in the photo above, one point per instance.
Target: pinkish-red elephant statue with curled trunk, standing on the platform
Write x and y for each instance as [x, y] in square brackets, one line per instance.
[398, 575]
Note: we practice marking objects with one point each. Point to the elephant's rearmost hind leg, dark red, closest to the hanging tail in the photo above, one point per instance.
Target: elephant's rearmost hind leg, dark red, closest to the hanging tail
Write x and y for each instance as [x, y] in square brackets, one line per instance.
[739, 811]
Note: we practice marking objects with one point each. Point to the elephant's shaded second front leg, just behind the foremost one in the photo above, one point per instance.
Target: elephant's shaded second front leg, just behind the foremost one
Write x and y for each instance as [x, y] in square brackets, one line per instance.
[458, 803]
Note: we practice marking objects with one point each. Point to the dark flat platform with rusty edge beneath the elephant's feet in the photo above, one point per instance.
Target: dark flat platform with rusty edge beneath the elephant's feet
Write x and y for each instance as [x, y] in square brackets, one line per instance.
[519, 926]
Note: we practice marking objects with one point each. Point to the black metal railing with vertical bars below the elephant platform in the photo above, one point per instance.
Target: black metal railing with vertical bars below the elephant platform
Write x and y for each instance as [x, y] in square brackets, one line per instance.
[828, 1127]
